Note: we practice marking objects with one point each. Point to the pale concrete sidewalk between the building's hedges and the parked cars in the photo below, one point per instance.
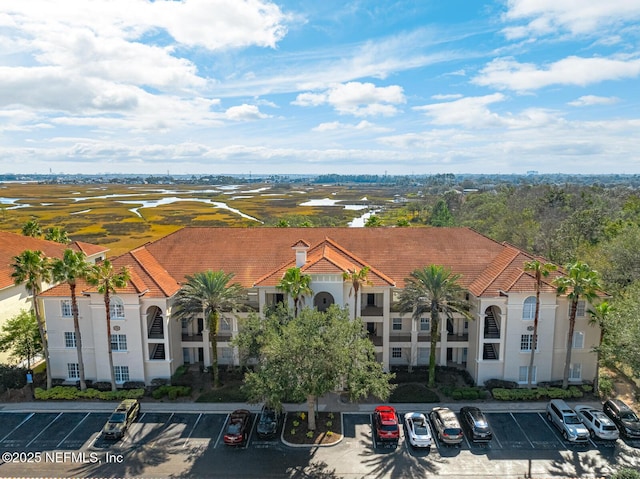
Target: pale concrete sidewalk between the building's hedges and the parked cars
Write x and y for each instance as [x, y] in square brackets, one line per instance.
[331, 402]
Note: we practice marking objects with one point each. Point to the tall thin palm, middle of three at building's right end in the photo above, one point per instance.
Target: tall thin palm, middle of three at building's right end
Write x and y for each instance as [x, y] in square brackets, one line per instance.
[580, 282]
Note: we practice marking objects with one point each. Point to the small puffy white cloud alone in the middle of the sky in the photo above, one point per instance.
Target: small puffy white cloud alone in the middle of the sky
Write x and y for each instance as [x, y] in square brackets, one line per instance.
[358, 99]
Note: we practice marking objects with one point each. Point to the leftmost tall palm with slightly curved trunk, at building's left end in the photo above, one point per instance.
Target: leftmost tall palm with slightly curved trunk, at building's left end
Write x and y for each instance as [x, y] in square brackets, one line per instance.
[32, 268]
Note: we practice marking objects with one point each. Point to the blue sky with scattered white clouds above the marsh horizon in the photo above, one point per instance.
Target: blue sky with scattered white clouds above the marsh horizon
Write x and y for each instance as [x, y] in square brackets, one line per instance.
[312, 87]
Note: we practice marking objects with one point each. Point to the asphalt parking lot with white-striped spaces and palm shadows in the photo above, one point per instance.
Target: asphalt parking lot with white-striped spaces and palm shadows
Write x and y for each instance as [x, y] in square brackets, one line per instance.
[190, 444]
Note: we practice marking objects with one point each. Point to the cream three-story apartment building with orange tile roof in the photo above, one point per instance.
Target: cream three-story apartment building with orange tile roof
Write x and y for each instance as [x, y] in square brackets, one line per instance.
[148, 342]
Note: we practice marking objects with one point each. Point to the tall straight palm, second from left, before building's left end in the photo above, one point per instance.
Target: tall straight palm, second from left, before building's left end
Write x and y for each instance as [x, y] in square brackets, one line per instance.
[69, 269]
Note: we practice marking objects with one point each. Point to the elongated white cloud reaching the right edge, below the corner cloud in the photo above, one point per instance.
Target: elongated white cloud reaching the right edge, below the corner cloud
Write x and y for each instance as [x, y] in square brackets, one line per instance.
[507, 73]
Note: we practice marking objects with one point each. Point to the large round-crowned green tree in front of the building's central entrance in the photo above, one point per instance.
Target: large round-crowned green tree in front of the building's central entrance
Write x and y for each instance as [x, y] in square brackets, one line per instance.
[311, 355]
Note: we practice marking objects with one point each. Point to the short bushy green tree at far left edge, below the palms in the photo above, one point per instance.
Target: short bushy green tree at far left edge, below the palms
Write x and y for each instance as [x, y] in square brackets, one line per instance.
[20, 336]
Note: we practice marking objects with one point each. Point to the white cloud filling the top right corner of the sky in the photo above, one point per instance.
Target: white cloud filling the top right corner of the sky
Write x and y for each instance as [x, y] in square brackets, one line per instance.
[586, 16]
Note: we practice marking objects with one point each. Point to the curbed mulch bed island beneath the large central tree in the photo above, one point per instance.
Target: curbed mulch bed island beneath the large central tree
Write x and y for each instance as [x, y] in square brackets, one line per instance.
[328, 429]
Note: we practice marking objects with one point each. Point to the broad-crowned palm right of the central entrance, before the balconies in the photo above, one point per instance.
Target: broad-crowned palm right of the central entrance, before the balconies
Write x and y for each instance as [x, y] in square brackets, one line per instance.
[434, 289]
